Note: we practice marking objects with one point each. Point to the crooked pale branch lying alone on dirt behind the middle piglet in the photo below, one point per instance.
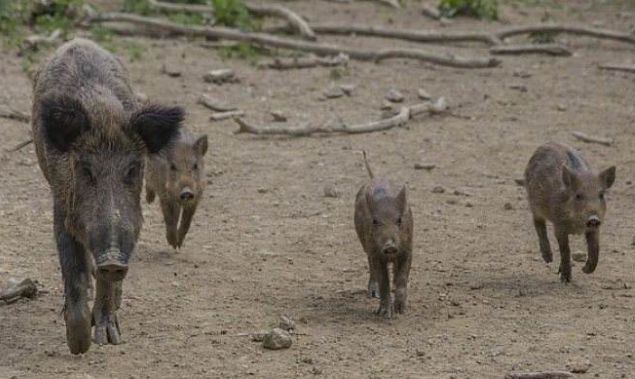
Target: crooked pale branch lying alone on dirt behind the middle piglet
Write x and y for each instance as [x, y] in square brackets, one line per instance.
[404, 115]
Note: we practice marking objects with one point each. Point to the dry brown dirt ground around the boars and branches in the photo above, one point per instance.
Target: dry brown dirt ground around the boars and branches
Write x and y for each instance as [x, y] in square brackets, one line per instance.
[266, 241]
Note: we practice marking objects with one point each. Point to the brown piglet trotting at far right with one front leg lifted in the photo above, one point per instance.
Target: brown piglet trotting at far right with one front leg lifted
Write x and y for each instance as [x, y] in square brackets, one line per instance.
[562, 189]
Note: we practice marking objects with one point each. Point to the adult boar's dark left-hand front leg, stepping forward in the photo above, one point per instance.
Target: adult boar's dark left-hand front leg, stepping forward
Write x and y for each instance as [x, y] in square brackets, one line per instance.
[76, 276]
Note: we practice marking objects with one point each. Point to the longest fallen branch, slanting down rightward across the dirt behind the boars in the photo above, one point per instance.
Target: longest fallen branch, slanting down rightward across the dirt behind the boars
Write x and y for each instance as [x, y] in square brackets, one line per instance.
[287, 43]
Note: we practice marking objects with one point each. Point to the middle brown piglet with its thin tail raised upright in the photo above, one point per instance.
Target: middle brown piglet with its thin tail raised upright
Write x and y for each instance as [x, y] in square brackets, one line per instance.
[383, 221]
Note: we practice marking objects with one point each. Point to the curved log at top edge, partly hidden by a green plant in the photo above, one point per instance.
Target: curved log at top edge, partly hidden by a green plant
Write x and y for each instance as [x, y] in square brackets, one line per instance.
[263, 10]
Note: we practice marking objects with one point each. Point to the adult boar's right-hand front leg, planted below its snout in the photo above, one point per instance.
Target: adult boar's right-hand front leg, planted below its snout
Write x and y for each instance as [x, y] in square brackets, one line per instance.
[107, 302]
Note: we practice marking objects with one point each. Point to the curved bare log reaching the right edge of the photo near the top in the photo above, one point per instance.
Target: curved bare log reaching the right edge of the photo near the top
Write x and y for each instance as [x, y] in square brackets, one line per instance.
[569, 29]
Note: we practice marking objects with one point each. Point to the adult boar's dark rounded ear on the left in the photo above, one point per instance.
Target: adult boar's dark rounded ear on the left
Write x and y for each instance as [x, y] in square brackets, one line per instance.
[63, 120]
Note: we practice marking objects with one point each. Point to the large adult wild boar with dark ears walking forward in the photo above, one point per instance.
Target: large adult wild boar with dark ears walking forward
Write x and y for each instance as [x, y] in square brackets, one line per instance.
[91, 139]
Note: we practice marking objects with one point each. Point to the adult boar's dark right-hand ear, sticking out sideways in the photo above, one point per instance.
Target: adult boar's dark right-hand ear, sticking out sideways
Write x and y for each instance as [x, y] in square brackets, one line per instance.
[157, 125]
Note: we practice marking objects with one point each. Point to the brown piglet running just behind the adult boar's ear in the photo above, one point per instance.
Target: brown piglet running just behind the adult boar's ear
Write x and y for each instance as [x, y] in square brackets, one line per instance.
[177, 176]
